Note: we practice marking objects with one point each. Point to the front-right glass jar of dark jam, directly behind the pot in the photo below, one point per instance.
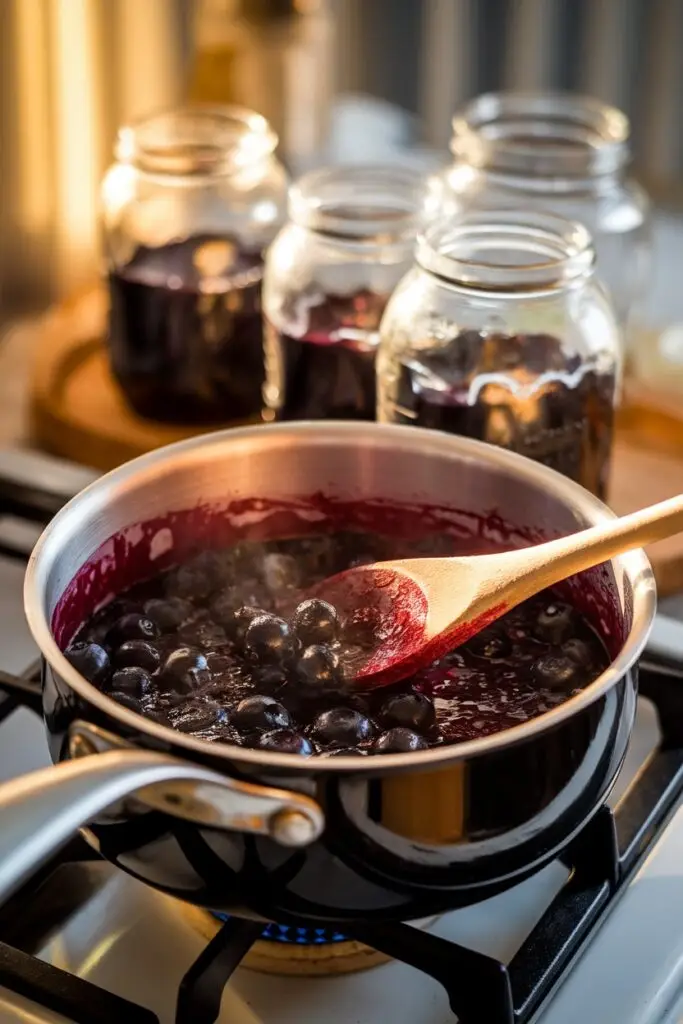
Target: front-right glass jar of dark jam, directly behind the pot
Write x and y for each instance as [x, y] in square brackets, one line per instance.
[501, 332]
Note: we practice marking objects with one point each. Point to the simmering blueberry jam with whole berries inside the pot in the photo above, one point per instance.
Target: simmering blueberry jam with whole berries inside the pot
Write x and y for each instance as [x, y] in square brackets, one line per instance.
[228, 648]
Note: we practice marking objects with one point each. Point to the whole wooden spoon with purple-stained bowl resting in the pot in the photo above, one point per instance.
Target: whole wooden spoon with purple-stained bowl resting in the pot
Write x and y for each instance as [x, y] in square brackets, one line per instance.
[415, 610]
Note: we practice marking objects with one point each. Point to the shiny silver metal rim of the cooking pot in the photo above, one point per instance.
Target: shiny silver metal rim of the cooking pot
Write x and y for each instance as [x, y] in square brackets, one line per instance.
[635, 564]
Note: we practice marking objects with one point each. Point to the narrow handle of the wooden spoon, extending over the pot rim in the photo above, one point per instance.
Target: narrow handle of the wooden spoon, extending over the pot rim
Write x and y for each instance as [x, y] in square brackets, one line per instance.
[549, 564]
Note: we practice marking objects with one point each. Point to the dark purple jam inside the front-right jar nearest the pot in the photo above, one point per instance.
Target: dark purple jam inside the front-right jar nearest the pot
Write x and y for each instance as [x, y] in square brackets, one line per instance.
[519, 392]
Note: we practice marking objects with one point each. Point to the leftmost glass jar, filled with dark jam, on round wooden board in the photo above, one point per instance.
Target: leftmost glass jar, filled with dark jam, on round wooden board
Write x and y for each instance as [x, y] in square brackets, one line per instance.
[195, 197]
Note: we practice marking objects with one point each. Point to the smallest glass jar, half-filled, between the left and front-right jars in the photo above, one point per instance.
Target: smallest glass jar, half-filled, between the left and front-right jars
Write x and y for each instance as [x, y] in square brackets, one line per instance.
[328, 278]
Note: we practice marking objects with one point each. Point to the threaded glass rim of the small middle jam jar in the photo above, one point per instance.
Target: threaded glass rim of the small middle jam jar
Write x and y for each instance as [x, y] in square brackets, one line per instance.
[362, 203]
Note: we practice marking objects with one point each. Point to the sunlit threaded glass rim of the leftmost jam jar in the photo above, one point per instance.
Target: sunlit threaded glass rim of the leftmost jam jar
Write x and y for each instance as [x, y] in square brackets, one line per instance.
[197, 141]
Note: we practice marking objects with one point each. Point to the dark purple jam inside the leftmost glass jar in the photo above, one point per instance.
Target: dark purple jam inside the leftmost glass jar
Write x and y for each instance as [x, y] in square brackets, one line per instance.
[186, 334]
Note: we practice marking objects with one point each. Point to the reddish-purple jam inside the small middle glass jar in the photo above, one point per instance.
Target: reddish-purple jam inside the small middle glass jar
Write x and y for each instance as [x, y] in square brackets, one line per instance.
[325, 366]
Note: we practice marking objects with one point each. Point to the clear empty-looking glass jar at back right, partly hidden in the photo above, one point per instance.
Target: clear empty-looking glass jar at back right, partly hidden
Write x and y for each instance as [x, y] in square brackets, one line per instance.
[562, 154]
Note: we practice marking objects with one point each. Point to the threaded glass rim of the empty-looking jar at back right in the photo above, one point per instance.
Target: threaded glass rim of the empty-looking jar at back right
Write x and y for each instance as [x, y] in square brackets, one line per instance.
[542, 135]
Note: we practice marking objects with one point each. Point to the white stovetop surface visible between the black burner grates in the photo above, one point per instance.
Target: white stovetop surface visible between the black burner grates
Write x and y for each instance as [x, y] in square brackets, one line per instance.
[139, 944]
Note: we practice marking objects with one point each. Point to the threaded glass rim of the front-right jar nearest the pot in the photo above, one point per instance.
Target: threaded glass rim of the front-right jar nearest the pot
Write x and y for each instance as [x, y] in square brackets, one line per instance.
[507, 251]
